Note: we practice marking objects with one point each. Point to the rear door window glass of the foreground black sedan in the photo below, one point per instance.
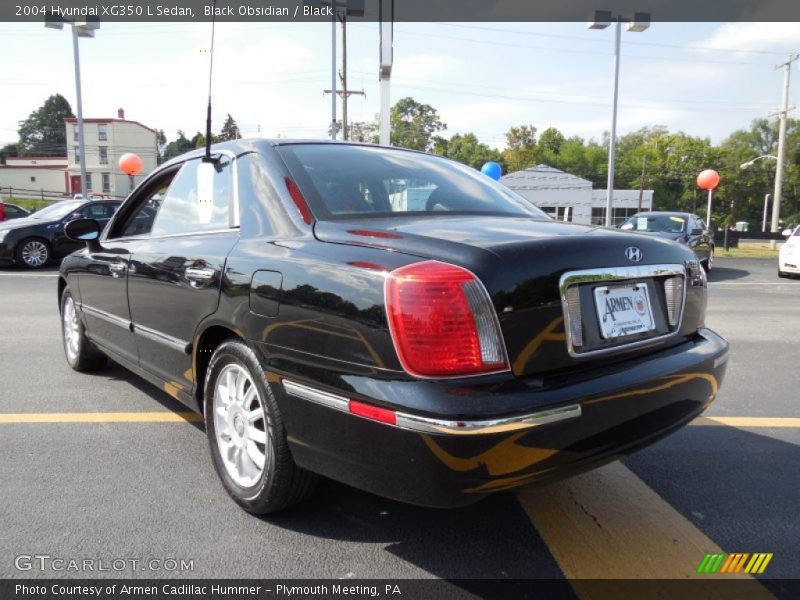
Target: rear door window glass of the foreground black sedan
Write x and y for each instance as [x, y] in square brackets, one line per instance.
[179, 210]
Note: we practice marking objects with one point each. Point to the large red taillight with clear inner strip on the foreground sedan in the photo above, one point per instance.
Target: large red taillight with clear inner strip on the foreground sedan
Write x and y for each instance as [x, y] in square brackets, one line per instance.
[442, 321]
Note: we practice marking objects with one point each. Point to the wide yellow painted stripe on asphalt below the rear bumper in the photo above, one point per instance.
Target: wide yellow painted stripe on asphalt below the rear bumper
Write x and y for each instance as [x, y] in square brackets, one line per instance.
[608, 524]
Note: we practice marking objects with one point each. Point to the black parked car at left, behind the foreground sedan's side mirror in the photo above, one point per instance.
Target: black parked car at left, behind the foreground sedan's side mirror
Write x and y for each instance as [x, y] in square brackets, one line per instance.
[35, 240]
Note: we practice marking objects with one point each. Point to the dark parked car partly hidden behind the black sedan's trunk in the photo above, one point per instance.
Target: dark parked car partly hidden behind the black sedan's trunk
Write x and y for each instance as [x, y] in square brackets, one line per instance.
[684, 228]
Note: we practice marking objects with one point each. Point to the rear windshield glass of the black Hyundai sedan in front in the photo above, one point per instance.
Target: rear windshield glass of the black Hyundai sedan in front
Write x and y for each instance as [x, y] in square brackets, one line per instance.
[344, 181]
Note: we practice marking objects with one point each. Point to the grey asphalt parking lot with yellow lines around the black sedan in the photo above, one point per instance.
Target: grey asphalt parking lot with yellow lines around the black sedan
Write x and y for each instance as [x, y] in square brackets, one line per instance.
[85, 485]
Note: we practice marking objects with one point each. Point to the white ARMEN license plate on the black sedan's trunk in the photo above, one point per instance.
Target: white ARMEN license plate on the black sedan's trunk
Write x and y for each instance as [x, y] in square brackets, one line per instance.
[623, 310]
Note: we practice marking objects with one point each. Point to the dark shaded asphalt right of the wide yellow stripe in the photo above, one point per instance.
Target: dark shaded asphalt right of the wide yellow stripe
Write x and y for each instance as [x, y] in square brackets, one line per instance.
[740, 488]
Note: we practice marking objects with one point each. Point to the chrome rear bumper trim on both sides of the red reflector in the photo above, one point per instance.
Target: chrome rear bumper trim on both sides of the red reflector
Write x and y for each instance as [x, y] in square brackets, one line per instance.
[422, 424]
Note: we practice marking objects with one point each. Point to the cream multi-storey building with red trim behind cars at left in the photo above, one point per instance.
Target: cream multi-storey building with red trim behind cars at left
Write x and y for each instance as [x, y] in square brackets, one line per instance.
[106, 141]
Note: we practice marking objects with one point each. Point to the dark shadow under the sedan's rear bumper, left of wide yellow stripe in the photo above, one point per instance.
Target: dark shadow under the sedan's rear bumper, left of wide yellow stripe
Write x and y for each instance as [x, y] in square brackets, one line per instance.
[491, 539]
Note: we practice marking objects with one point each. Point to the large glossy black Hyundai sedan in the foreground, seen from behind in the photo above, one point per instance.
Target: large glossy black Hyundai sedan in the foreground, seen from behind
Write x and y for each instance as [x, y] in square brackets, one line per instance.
[387, 318]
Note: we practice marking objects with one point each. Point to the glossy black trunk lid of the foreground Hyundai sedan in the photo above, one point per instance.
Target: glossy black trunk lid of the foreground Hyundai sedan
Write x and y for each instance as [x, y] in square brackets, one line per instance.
[520, 262]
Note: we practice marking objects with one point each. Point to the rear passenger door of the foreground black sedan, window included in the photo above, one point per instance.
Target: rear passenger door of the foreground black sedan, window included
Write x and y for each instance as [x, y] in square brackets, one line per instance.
[176, 271]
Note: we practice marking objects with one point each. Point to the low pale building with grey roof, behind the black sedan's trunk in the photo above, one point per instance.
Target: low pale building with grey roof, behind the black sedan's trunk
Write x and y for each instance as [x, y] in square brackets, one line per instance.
[568, 197]
